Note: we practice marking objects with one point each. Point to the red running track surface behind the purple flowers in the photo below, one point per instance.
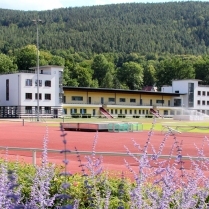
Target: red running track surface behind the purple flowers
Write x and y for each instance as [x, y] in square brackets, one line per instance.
[14, 134]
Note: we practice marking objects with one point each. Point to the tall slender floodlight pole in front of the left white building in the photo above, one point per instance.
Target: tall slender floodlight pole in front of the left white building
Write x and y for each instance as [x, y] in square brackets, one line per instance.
[37, 21]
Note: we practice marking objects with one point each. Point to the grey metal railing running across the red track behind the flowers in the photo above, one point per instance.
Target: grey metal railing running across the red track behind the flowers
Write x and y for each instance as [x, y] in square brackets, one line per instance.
[118, 154]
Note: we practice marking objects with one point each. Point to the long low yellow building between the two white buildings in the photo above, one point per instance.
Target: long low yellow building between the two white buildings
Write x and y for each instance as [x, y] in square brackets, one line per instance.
[84, 100]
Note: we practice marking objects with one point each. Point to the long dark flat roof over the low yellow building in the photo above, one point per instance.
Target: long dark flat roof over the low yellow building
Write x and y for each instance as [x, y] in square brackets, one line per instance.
[109, 90]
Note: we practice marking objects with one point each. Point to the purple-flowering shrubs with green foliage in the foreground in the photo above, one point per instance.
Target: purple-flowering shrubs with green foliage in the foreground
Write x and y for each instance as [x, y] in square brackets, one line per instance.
[158, 183]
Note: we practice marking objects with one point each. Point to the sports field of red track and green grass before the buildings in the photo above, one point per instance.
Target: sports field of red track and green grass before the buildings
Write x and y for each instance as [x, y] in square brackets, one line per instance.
[15, 133]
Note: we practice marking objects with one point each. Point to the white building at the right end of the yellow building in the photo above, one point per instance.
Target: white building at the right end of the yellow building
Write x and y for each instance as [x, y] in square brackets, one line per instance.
[194, 96]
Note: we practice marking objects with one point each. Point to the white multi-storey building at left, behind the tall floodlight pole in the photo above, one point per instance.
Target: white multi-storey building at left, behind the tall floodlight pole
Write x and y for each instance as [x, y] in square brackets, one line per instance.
[18, 92]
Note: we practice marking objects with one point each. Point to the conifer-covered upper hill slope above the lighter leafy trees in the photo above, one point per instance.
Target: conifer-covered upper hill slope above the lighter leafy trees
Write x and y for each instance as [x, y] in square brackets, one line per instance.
[175, 27]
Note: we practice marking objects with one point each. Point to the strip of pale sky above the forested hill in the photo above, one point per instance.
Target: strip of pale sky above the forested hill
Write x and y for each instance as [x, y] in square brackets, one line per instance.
[39, 5]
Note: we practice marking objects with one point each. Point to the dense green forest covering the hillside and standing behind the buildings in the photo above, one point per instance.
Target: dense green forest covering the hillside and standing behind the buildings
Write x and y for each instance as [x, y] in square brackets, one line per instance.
[112, 46]
